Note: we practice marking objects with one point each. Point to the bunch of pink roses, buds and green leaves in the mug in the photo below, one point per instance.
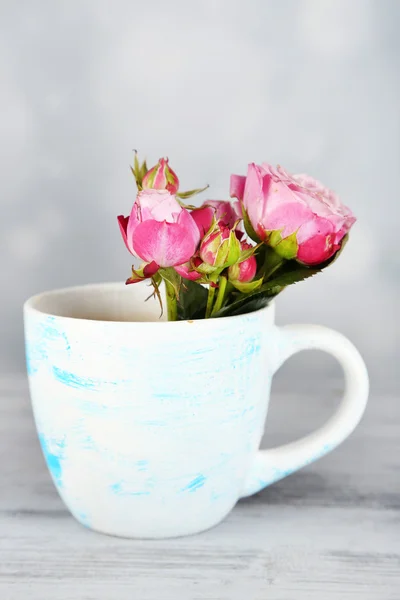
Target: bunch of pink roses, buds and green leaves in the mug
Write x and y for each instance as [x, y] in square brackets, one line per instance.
[227, 258]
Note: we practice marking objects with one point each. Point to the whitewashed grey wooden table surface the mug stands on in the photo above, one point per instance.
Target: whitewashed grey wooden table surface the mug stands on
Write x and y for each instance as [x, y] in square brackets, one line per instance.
[331, 531]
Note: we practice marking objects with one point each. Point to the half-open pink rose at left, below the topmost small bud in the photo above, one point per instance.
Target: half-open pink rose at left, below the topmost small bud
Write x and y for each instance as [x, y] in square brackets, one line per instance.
[159, 230]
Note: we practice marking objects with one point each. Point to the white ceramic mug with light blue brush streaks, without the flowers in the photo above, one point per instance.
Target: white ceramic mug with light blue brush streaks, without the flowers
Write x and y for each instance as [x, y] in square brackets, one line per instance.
[151, 429]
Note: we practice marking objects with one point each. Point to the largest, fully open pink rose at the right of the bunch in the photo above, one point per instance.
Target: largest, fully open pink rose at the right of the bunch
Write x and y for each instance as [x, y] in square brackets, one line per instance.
[295, 214]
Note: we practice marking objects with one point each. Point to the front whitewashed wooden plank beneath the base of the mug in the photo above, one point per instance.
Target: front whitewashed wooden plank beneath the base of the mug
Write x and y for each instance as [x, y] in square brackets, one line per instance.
[274, 552]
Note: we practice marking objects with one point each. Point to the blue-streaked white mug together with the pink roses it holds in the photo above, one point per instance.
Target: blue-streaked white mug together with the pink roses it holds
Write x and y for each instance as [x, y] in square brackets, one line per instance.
[151, 423]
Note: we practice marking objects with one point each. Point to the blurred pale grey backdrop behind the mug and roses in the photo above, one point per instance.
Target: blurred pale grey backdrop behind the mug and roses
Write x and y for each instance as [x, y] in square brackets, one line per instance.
[313, 85]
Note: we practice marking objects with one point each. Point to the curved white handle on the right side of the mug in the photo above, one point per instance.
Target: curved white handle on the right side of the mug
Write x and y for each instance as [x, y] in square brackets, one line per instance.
[273, 464]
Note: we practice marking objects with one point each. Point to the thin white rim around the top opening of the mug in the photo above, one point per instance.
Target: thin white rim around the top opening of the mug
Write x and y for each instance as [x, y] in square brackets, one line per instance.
[29, 306]
